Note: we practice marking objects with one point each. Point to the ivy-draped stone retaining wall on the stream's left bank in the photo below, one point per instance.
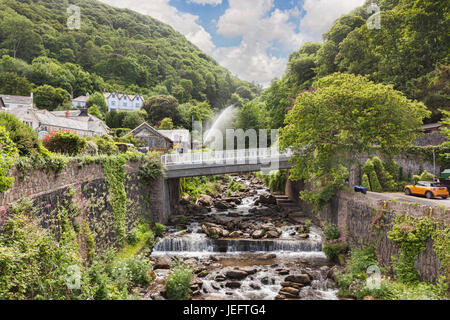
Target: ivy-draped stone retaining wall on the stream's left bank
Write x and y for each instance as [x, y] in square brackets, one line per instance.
[88, 188]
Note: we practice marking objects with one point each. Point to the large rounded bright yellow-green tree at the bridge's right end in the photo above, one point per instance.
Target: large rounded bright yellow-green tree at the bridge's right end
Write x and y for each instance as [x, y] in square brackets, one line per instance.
[346, 115]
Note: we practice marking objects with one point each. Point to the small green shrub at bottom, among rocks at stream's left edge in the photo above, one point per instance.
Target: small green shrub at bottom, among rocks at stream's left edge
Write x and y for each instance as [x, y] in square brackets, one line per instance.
[178, 282]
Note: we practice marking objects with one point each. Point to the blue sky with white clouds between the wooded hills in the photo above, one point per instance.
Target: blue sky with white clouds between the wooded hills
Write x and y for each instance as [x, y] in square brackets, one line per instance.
[251, 38]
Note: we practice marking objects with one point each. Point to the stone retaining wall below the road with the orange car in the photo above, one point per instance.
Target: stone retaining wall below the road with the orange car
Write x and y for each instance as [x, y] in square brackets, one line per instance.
[363, 220]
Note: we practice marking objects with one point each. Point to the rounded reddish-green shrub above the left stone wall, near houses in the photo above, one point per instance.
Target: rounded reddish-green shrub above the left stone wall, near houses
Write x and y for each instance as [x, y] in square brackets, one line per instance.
[65, 142]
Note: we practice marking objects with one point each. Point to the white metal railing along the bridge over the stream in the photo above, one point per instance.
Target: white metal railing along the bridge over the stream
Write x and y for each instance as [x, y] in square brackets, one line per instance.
[251, 156]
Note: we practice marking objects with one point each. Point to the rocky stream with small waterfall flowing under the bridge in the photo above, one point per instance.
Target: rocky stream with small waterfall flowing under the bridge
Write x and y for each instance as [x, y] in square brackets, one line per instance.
[241, 265]
